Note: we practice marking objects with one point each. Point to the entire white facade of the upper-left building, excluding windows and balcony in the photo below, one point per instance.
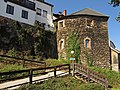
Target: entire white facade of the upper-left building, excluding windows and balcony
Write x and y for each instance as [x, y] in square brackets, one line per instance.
[32, 14]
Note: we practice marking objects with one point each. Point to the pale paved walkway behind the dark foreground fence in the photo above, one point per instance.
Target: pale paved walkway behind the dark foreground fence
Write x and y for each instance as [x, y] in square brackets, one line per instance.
[21, 81]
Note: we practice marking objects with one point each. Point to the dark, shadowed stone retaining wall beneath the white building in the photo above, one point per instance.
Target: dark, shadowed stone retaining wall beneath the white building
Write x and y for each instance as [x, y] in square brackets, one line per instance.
[9, 39]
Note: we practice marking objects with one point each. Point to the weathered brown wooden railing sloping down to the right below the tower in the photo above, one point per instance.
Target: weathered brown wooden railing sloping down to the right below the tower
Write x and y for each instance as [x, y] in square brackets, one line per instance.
[96, 77]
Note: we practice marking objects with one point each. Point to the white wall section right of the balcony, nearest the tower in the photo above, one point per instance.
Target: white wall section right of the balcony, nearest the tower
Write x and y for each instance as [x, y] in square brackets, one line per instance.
[42, 19]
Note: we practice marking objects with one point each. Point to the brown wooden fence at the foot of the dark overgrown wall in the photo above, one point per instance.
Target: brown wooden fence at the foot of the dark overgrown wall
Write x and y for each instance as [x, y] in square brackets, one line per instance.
[20, 61]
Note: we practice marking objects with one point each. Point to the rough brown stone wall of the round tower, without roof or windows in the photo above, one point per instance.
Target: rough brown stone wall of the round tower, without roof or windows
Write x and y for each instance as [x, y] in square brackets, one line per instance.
[96, 29]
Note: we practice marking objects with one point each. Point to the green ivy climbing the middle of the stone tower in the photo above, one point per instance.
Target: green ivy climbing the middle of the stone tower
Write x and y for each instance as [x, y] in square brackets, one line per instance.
[73, 43]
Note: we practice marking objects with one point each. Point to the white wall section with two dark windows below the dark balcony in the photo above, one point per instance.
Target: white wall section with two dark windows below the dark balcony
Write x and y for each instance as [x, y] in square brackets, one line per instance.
[17, 13]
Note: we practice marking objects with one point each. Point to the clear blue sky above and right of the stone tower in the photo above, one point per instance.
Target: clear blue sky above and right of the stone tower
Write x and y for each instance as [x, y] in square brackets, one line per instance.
[101, 6]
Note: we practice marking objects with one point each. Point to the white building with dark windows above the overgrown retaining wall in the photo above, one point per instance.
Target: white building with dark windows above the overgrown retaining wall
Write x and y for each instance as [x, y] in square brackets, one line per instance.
[28, 11]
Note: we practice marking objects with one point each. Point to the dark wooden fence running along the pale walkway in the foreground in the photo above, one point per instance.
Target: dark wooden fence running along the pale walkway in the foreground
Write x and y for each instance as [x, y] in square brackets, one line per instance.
[30, 73]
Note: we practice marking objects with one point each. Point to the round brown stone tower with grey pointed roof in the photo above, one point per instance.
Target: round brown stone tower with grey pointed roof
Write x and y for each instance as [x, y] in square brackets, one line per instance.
[93, 35]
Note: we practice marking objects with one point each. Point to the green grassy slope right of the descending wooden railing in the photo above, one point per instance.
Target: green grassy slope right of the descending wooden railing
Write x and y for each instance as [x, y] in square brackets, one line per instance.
[112, 76]
